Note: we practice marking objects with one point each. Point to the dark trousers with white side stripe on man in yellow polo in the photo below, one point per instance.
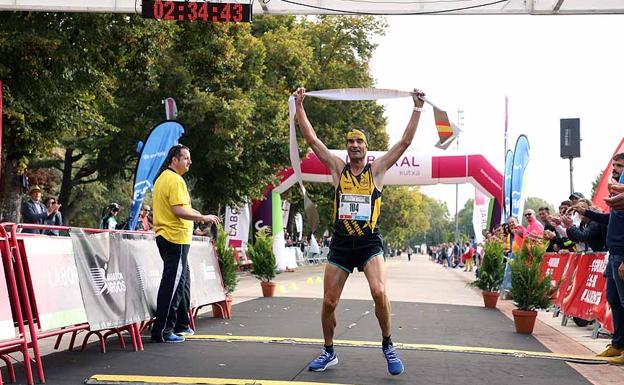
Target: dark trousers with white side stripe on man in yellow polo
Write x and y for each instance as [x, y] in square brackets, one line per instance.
[174, 293]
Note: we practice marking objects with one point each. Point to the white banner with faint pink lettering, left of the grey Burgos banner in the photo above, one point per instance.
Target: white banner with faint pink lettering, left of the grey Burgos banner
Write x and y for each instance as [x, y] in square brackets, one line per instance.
[54, 278]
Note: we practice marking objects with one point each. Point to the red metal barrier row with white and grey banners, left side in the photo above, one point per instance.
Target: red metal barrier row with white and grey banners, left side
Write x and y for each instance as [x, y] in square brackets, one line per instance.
[99, 282]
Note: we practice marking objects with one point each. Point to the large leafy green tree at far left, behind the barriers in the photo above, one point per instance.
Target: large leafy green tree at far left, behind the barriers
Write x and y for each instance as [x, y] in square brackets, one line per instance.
[60, 74]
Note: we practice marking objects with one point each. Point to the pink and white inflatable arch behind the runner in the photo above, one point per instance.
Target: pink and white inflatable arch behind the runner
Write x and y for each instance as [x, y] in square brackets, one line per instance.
[412, 169]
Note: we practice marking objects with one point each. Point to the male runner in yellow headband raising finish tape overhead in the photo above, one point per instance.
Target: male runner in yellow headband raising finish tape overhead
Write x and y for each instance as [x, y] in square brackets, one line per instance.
[356, 241]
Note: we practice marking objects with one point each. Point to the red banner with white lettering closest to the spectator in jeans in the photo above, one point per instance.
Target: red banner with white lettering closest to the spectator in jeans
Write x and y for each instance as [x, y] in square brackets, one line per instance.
[588, 288]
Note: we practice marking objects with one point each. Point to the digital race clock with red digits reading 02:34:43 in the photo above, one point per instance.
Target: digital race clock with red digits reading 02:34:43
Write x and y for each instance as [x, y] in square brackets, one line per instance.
[196, 11]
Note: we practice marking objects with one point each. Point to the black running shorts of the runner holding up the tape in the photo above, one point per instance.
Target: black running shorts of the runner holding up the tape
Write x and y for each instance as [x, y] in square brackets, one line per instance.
[349, 252]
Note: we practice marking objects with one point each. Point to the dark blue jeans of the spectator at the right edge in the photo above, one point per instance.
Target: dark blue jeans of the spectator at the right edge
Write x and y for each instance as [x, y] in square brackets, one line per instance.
[615, 298]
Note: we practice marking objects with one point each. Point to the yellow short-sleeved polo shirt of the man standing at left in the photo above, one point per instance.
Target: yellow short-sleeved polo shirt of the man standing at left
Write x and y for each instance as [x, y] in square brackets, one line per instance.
[170, 190]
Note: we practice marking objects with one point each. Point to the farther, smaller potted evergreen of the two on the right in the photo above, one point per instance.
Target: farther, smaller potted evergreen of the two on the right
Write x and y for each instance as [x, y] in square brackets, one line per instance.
[491, 272]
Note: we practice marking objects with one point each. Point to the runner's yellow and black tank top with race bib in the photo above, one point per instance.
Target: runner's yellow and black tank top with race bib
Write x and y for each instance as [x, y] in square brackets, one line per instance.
[357, 203]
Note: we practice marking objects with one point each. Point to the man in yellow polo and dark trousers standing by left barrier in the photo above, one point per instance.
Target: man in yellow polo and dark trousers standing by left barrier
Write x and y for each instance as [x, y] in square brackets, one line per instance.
[173, 224]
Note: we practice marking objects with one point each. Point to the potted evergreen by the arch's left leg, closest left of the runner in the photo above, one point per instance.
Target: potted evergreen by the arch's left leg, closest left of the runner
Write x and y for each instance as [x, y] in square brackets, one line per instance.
[263, 263]
